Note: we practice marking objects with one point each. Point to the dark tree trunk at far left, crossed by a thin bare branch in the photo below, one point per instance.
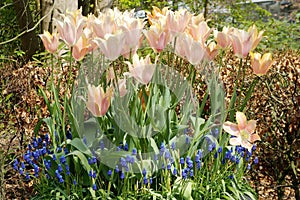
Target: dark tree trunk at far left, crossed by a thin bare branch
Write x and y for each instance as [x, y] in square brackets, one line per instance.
[29, 40]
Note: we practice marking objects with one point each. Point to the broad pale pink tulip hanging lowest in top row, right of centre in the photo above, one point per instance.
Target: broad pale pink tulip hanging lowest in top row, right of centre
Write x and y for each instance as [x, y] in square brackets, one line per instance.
[187, 47]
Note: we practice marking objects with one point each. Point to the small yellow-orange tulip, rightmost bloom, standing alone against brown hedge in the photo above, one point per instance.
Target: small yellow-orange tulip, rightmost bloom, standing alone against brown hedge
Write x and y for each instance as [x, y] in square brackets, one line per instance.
[261, 65]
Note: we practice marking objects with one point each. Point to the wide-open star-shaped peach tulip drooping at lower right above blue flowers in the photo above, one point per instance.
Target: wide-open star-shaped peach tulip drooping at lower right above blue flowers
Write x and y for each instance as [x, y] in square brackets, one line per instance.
[243, 131]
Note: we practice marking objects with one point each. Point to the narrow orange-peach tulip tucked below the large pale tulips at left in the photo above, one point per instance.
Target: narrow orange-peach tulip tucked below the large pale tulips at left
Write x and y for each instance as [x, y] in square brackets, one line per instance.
[81, 48]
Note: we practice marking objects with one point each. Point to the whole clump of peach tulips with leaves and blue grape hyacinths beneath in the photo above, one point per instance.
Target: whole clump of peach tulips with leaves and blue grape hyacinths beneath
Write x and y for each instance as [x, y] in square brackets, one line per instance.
[130, 126]
